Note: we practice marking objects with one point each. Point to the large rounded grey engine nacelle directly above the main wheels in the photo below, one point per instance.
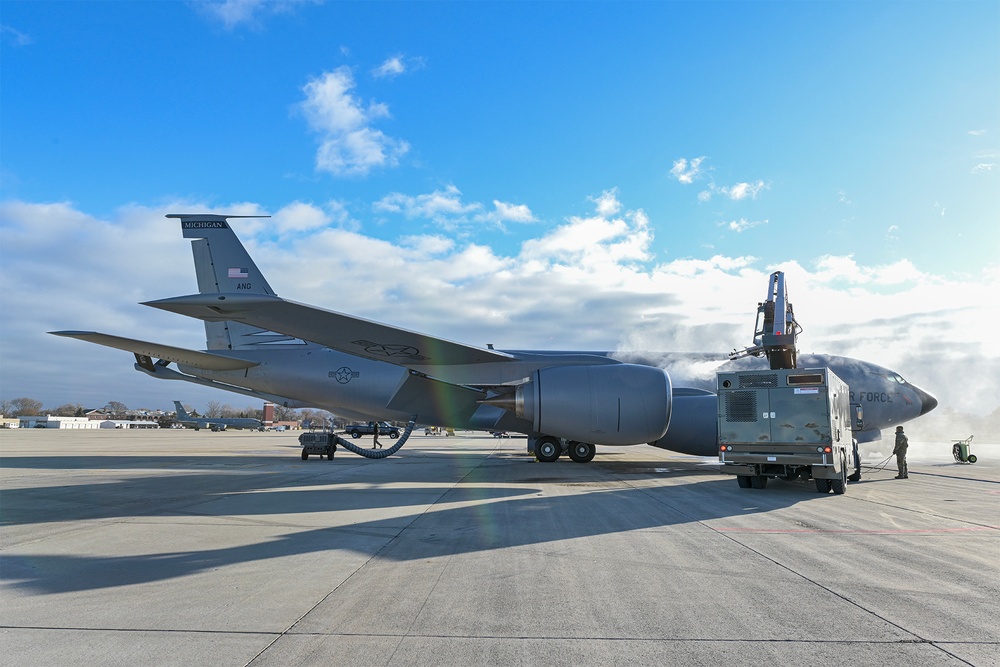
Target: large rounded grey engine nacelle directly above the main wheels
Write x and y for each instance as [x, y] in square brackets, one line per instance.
[614, 404]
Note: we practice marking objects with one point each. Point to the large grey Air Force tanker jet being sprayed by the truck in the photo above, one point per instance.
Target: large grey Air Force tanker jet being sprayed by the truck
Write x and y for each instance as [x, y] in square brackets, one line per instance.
[298, 355]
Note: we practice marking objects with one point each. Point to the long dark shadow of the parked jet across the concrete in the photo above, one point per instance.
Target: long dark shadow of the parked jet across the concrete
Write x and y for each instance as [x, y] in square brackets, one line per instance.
[470, 517]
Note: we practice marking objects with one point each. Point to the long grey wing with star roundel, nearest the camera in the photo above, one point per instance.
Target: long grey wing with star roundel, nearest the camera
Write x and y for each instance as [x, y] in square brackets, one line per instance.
[346, 333]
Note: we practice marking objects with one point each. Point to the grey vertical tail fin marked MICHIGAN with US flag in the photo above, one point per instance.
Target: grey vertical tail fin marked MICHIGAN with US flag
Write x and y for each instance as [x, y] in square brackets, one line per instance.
[223, 265]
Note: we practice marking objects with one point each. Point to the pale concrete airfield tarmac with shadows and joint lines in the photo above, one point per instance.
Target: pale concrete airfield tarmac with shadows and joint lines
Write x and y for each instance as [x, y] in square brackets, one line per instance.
[183, 548]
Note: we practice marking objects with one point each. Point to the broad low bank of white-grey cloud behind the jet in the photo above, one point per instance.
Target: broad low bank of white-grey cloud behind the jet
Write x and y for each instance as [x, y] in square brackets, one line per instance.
[591, 283]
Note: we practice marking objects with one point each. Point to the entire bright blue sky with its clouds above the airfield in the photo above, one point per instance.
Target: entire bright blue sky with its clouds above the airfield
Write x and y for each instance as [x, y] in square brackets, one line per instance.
[529, 174]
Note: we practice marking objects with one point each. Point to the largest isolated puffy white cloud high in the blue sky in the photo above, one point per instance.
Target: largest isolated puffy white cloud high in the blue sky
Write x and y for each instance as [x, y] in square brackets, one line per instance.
[349, 145]
